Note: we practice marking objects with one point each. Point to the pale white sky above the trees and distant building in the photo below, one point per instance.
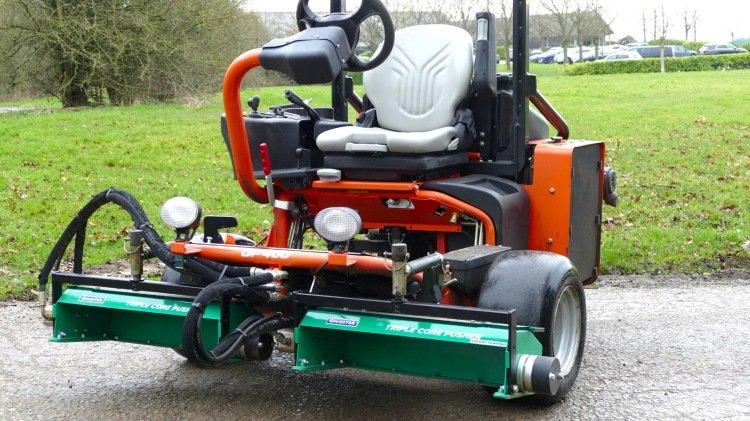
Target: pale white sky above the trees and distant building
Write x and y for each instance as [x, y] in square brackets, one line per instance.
[717, 18]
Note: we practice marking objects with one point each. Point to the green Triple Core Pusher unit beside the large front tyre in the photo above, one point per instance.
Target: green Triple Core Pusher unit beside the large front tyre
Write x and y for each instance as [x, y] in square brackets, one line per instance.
[472, 352]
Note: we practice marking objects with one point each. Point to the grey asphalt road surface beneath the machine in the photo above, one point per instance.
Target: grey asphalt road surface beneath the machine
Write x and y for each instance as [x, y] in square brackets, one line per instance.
[657, 348]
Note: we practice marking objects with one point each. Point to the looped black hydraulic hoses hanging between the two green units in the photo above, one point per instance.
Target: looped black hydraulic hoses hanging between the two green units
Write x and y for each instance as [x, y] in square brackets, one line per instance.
[249, 289]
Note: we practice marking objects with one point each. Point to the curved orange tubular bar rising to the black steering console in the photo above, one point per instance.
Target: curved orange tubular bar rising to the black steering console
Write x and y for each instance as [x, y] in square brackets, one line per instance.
[243, 163]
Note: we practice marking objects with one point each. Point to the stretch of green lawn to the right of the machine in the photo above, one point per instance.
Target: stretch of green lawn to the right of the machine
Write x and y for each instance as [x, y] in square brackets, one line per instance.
[681, 145]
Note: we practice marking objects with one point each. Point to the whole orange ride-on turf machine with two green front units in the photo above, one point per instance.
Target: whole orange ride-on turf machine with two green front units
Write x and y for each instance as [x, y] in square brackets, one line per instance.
[454, 234]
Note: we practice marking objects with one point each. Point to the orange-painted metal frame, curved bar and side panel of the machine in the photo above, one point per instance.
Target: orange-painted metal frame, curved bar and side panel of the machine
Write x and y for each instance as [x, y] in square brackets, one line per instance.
[550, 194]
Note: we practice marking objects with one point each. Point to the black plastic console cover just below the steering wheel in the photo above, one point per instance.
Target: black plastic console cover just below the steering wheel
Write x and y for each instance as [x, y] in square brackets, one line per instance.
[315, 55]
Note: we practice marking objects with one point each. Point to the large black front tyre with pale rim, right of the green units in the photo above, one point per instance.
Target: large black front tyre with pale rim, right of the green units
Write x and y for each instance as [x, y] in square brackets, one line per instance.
[546, 291]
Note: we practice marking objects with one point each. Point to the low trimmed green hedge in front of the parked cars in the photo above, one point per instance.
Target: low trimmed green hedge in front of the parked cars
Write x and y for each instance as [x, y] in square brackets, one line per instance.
[684, 64]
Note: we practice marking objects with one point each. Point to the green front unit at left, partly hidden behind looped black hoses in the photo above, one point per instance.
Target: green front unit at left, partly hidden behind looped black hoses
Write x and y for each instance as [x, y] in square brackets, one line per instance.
[90, 314]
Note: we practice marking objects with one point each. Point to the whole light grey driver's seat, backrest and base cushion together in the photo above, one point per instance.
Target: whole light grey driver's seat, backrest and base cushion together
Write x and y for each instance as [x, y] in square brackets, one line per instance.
[415, 93]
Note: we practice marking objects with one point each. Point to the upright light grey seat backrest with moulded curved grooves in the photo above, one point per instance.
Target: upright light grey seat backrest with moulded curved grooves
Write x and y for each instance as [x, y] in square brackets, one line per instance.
[427, 75]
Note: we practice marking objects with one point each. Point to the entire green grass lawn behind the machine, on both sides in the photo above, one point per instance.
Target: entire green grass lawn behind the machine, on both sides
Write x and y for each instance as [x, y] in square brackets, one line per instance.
[680, 143]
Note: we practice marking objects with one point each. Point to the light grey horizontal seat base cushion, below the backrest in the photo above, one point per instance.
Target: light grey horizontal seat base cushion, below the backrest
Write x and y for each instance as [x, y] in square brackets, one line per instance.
[375, 139]
